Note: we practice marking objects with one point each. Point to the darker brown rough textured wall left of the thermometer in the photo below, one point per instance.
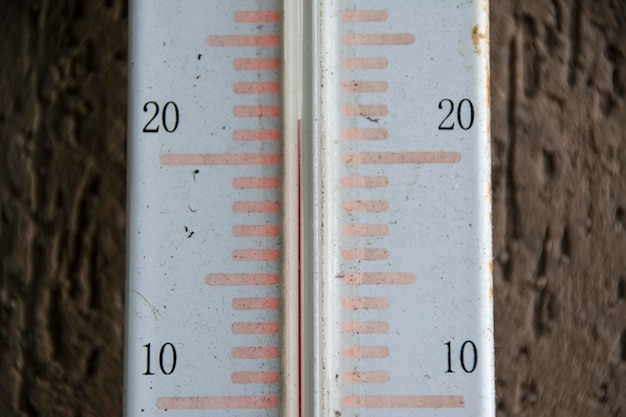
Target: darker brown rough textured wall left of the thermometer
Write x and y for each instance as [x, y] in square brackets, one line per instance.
[62, 198]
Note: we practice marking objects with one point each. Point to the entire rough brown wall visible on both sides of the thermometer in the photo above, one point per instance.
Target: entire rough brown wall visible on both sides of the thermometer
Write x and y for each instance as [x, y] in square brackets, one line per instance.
[559, 191]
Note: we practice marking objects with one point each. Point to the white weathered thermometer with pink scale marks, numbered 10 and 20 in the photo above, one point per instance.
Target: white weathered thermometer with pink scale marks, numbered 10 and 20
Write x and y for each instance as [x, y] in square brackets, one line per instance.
[309, 209]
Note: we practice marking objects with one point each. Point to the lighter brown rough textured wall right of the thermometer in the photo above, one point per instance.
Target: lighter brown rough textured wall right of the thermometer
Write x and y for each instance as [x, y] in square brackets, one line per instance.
[559, 172]
